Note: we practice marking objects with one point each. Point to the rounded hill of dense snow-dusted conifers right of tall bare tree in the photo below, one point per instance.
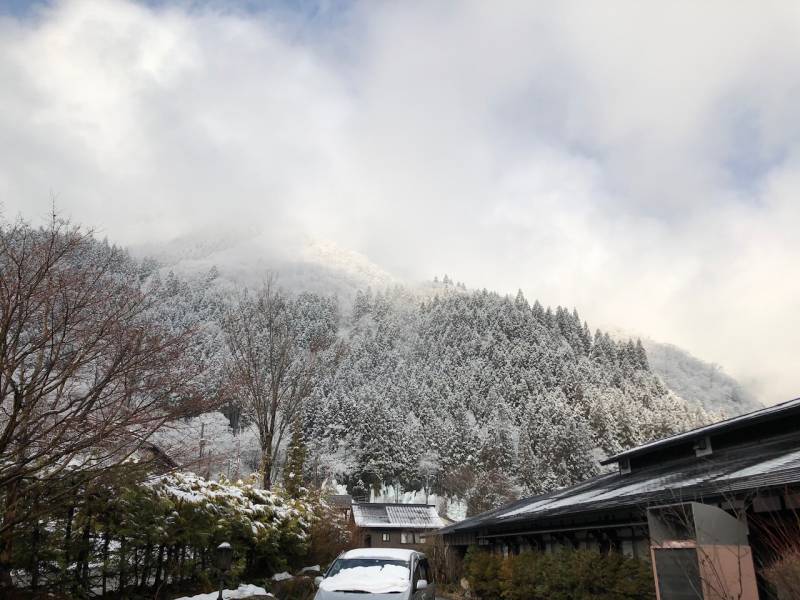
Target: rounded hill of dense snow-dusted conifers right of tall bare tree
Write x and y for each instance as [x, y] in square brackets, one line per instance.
[481, 395]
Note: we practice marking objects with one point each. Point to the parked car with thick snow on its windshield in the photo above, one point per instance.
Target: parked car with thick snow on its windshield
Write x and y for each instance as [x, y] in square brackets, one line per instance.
[377, 573]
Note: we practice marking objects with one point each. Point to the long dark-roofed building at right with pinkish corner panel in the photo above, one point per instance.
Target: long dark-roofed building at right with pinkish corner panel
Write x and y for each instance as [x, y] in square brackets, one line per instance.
[705, 507]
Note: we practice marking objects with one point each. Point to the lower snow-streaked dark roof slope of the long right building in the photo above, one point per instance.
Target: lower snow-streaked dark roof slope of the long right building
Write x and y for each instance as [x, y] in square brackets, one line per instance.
[726, 472]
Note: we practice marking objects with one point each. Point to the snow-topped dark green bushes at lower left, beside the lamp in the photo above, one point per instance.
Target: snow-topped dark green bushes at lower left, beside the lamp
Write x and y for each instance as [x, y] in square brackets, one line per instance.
[133, 538]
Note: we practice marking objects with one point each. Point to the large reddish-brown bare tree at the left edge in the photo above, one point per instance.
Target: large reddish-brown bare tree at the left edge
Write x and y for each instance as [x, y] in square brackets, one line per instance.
[87, 373]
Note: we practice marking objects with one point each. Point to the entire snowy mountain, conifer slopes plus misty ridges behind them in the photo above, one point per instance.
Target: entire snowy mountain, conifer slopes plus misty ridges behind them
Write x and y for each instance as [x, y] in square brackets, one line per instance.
[465, 393]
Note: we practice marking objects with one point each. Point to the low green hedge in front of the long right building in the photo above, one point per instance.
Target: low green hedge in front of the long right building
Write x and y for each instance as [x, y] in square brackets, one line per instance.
[564, 575]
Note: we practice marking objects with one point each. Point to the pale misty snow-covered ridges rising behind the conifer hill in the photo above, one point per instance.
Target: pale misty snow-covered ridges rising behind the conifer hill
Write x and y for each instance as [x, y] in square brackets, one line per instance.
[245, 257]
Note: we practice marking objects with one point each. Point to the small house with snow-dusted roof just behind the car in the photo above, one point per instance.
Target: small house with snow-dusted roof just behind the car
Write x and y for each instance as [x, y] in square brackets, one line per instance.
[383, 525]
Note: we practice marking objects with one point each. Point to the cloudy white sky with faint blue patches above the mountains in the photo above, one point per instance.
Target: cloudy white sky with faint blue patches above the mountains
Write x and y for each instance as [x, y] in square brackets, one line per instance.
[637, 160]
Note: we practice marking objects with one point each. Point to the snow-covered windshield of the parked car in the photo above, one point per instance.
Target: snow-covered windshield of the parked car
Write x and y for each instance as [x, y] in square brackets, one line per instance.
[368, 576]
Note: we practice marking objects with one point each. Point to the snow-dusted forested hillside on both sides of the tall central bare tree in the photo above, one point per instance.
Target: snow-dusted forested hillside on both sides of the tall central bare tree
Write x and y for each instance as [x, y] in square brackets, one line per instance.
[466, 394]
